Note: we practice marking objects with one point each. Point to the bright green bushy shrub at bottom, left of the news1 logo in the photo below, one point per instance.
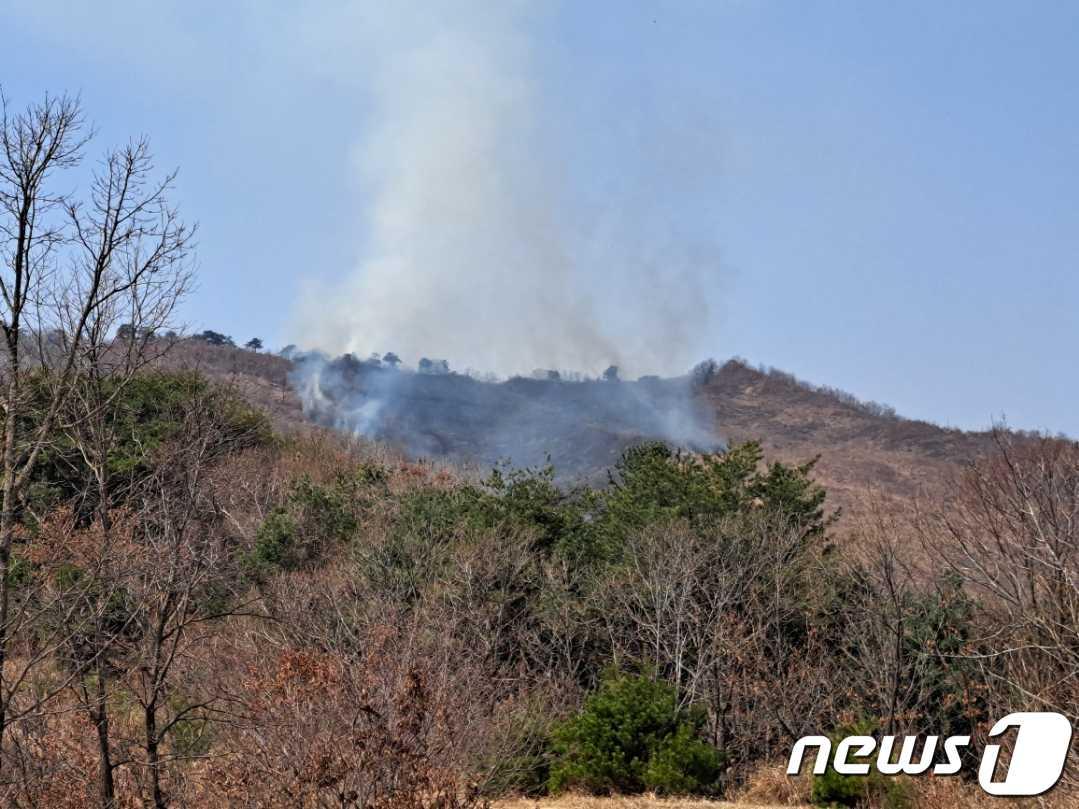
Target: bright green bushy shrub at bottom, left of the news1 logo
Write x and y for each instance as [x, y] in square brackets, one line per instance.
[631, 737]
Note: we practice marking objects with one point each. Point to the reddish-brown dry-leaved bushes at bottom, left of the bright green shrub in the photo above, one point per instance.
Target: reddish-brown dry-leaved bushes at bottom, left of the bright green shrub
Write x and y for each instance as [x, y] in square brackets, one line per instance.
[324, 733]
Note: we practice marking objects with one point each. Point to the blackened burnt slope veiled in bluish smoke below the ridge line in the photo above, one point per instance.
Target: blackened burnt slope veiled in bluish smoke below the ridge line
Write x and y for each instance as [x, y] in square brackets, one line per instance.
[581, 426]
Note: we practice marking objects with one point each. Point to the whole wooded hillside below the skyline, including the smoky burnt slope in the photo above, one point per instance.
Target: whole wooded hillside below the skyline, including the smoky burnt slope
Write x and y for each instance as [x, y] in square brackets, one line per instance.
[347, 584]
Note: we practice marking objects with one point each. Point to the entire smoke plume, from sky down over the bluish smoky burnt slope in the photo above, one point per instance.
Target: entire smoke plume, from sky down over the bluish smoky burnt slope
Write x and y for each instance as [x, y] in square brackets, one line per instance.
[509, 230]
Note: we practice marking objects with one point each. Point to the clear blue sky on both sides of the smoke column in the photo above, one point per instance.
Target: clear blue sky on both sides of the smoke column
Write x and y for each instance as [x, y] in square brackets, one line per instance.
[887, 195]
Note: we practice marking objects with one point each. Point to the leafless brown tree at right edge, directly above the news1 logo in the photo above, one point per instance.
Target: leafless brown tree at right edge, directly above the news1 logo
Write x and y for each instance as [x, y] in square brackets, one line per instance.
[1012, 532]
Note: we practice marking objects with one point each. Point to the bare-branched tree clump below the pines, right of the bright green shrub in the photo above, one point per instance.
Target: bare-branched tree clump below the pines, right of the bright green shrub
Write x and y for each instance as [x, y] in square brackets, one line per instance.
[721, 615]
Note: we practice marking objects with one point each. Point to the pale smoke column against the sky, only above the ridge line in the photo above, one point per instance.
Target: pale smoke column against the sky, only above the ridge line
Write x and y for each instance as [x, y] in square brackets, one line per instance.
[482, 243]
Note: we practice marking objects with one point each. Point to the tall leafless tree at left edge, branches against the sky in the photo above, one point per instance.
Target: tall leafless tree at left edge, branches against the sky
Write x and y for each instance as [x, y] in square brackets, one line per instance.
[74, 270]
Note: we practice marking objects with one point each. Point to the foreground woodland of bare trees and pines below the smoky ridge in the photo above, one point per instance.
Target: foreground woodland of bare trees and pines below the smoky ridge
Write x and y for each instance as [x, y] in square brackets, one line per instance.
[199, 609]
